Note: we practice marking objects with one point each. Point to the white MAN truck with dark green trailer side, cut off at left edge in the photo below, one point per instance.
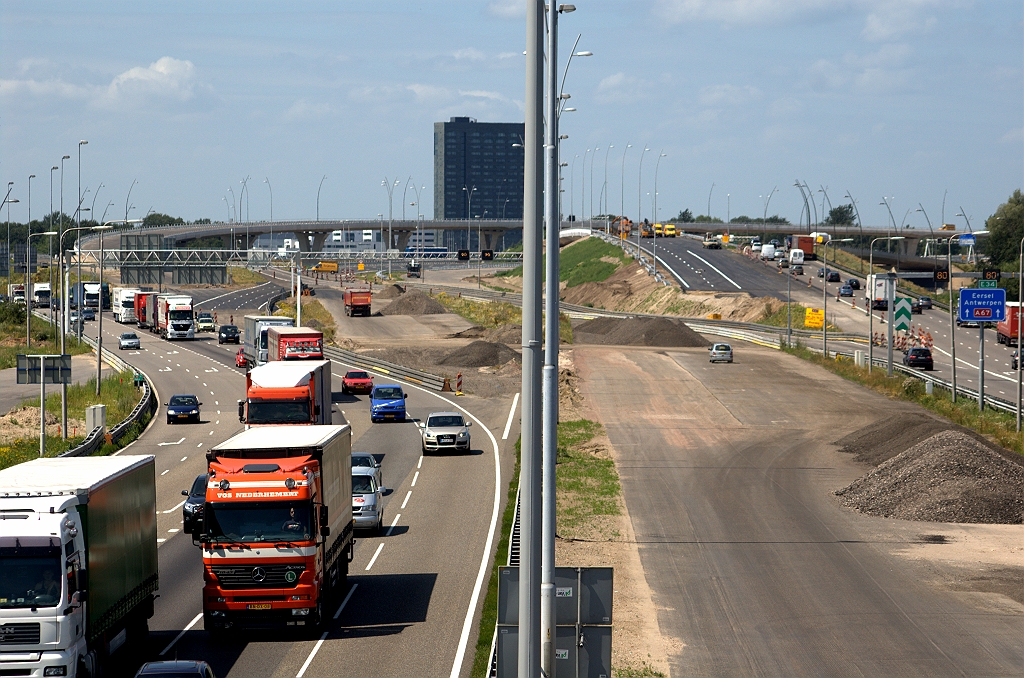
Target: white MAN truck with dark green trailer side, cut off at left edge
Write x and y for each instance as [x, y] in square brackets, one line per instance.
[78, 563]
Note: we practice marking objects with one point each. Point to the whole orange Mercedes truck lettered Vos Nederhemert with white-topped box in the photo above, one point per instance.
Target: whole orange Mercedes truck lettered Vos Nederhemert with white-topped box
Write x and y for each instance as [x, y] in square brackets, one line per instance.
[277, 528]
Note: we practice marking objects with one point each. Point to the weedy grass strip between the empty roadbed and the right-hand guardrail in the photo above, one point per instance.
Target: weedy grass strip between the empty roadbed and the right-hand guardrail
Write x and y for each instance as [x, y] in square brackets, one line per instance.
[995, 423]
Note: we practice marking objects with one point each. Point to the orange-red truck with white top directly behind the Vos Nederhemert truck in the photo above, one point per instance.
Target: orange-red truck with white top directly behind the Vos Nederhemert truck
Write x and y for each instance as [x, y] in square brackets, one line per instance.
[287, 394]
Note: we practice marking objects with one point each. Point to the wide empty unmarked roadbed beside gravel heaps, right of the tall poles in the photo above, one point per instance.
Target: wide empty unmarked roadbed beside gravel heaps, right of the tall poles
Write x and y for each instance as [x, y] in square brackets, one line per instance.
[729, 473]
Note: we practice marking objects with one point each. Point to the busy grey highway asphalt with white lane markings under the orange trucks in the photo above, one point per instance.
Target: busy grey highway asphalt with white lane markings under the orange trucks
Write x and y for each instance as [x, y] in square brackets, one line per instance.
[412, 590]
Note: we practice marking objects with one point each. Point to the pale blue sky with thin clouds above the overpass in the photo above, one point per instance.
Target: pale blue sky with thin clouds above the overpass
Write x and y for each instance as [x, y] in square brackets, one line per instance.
[902, 99]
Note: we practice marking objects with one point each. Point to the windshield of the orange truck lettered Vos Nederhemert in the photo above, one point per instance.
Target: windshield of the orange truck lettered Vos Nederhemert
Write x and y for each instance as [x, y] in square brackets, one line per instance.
[259, 522]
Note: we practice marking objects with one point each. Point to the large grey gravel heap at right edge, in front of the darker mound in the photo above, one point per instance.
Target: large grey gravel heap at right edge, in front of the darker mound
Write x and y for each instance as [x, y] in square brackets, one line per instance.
[950, 478]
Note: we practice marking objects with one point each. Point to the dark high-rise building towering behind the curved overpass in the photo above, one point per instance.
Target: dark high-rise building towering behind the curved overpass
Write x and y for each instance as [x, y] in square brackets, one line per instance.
[478, 166]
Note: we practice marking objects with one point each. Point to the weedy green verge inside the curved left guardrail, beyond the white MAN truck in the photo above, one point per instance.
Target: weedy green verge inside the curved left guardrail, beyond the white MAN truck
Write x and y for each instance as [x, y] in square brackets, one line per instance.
[118, 394]
